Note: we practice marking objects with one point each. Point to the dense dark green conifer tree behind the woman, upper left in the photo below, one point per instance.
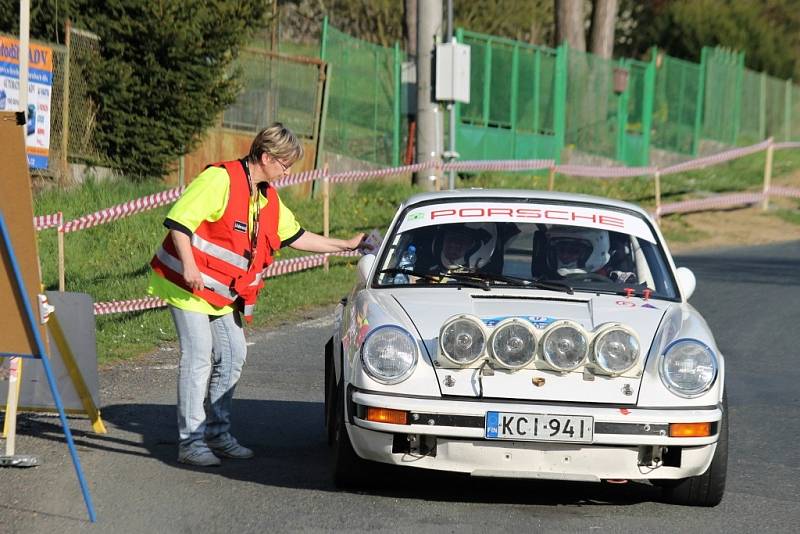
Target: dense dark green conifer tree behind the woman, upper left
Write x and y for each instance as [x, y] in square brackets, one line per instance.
[166, 71]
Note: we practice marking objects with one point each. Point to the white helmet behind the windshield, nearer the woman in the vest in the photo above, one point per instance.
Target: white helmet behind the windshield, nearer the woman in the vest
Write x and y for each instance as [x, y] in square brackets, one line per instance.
[468, 246]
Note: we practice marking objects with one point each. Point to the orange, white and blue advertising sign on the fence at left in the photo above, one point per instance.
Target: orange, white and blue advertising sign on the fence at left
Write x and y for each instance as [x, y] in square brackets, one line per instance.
[40, 88]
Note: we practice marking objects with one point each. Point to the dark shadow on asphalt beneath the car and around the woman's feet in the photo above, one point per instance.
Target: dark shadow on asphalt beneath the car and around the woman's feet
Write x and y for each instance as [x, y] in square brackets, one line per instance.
[291, 451]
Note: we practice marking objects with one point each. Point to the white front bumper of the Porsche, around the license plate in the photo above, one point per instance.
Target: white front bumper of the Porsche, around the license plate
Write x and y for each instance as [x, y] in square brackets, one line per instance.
[628, 443]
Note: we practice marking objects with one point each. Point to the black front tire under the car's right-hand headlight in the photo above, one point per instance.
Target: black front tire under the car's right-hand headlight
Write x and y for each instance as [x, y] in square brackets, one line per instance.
[708, 488]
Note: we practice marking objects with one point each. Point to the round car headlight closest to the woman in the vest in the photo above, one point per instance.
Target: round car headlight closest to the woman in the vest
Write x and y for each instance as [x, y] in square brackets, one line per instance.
[389, 354]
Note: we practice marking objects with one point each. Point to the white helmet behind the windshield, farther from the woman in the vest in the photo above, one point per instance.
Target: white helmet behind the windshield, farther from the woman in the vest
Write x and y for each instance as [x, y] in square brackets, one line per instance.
[577, 250]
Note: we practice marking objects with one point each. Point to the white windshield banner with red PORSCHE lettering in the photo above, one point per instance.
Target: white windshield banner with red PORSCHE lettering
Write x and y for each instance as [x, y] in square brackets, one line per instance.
[514, 212]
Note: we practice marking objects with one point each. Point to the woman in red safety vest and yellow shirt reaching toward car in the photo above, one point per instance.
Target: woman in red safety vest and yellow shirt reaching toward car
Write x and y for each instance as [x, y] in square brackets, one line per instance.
[222, 235]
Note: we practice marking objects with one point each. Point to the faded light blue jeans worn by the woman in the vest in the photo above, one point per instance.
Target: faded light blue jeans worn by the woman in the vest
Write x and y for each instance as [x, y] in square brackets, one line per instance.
[213, 351]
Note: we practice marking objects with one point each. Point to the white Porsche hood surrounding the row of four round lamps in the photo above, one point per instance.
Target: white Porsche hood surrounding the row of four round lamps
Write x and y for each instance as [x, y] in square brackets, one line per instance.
[428, 309]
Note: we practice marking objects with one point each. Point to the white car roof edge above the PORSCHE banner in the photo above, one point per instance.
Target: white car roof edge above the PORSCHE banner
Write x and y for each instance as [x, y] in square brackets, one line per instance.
[533, 194]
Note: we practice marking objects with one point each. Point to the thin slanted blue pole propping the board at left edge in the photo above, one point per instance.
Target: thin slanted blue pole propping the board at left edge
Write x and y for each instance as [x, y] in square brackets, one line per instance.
[46, 364]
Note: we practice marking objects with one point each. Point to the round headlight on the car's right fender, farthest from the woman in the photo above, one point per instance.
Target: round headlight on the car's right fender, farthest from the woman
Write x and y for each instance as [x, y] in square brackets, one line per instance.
[688, 367]
